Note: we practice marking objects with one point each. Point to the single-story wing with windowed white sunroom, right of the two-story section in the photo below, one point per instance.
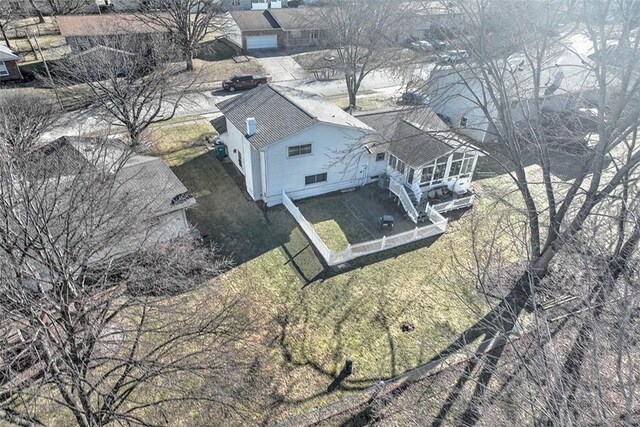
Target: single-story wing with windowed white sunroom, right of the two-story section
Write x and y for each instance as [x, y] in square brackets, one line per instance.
[433, 163]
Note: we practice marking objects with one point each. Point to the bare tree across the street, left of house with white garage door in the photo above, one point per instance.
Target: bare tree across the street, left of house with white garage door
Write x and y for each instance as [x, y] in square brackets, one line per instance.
[189, 22]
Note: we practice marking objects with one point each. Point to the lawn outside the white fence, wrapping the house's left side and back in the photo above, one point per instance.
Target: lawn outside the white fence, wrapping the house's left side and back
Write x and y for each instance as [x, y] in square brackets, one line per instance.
[309, 320]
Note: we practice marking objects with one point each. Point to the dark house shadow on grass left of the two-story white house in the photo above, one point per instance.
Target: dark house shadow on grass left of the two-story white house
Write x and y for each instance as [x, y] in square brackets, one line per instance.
[227, 217]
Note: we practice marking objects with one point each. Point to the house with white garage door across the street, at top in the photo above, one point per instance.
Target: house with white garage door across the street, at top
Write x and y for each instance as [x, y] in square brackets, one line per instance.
[276, 28]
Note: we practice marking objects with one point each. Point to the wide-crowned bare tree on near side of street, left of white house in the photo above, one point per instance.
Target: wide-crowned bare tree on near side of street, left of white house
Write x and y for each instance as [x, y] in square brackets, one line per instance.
[129, 80]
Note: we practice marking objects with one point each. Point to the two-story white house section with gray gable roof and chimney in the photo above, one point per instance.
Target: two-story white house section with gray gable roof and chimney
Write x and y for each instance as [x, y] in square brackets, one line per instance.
[283, 139]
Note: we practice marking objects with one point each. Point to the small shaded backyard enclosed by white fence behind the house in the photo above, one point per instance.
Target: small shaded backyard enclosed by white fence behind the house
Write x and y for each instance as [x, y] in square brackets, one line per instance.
[353, 218]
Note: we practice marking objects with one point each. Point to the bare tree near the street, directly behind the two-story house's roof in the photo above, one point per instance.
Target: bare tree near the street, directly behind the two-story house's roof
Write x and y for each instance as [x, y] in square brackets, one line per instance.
[363, 35]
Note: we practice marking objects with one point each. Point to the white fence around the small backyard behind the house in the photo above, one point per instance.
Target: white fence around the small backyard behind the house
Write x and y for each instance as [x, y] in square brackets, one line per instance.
[332, 258]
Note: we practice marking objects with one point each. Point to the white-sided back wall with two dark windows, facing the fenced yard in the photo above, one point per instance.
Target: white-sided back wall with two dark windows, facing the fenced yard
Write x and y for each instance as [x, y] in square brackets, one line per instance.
[335, 150]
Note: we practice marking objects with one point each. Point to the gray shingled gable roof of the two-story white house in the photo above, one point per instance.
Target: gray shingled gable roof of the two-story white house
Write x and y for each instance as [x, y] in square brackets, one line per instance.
[281, 112]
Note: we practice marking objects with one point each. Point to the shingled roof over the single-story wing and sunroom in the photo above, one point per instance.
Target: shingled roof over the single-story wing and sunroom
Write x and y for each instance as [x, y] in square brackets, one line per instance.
[415, 136]
